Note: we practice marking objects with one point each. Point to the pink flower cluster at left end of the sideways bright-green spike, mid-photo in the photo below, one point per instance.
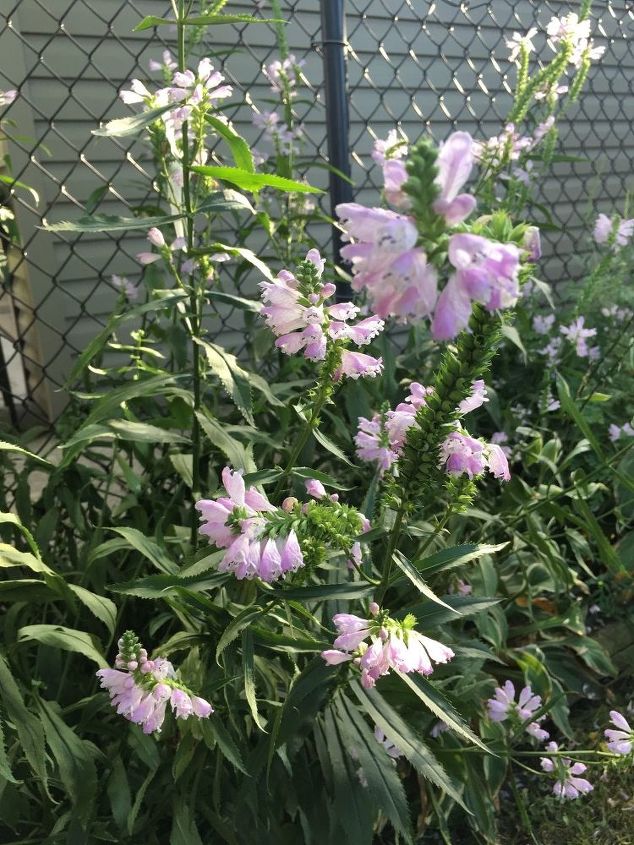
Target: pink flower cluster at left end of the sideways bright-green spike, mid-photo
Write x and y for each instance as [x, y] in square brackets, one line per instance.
[238, 524]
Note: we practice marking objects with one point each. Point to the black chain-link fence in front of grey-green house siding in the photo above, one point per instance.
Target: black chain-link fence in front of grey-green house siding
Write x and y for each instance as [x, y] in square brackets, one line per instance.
[425, 67]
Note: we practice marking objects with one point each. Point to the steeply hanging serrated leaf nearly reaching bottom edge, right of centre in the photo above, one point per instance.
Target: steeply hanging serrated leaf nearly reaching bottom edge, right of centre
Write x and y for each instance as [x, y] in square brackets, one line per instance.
[384, 785]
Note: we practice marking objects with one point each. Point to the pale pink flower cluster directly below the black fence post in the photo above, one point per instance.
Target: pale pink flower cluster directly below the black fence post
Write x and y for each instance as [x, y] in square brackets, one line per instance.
[296, 312]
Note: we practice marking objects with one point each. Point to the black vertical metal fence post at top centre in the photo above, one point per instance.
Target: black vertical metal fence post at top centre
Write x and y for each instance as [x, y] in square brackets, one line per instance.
[337, 116]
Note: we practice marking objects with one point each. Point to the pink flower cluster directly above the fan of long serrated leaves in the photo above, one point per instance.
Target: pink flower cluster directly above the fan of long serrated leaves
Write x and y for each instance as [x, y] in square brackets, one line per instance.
[393, 644]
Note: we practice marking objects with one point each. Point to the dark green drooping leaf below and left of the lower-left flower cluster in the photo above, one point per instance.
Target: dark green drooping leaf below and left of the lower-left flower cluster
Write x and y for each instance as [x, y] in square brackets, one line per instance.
[73, 758]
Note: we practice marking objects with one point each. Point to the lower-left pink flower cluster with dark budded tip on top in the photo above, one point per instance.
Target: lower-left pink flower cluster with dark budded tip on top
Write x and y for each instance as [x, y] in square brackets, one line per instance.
[140, 689]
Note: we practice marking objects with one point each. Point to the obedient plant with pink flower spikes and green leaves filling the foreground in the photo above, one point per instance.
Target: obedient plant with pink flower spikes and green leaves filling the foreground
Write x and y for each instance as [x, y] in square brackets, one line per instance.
[387, 646]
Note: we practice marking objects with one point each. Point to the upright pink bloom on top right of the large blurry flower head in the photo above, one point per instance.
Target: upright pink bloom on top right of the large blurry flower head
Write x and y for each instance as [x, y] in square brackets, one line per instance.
[455, 161]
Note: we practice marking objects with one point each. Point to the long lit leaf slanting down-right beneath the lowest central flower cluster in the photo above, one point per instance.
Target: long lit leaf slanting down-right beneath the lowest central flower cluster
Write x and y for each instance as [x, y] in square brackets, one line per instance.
[409, 743]
